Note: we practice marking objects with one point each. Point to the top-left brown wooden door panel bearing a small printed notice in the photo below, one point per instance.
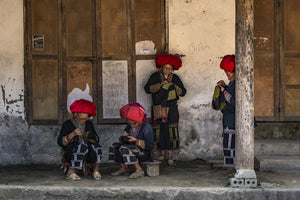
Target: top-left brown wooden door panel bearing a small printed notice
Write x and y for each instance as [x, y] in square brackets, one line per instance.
[44, 27]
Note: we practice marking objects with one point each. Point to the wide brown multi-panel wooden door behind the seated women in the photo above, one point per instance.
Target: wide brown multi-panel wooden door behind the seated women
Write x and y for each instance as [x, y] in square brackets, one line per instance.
[89, 48]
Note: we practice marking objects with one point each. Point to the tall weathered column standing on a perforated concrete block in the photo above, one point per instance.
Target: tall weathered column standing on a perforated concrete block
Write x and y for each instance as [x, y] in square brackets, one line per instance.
[244, 51]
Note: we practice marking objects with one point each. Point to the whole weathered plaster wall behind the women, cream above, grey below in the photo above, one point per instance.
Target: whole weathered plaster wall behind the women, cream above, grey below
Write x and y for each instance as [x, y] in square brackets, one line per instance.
[202, 30]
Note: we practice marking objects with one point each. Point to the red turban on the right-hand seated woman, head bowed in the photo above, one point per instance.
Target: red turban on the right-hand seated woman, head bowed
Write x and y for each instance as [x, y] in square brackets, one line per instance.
[134, 112]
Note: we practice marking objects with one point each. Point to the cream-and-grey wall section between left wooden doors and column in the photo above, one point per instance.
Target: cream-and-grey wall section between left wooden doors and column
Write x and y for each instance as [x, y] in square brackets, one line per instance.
[203, 31]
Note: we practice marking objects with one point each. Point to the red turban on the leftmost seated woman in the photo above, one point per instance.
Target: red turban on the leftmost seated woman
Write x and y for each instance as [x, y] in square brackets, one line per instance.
[83, 106]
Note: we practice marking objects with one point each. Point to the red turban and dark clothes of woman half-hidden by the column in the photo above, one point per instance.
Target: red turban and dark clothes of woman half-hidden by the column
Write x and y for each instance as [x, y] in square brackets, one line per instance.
[225, 101]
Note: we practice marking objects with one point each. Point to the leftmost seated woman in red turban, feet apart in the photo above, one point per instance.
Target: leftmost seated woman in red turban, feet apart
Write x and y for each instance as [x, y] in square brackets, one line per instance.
[79, 140]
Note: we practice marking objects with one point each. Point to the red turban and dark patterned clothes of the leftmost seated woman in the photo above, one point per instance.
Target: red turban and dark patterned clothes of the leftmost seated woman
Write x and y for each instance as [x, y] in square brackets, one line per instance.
[81, 148]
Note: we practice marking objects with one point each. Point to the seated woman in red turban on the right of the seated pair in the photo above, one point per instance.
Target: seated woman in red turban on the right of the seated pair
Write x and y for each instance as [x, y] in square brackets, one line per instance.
[136, 142]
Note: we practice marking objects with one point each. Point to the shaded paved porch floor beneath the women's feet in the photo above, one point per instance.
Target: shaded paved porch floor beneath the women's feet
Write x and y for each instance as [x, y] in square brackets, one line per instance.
[185, 174]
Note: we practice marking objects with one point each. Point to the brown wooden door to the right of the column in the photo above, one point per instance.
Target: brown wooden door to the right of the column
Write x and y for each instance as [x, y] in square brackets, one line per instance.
[277, 58]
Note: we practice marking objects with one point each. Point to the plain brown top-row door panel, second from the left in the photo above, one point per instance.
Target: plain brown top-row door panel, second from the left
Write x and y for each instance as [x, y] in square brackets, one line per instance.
[78, 28]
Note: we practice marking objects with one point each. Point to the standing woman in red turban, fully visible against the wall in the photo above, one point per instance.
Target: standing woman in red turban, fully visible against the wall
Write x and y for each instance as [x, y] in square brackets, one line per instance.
[166, 87]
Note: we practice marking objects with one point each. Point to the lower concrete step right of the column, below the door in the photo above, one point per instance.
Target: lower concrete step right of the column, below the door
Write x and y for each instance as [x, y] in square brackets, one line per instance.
[278, 163]
